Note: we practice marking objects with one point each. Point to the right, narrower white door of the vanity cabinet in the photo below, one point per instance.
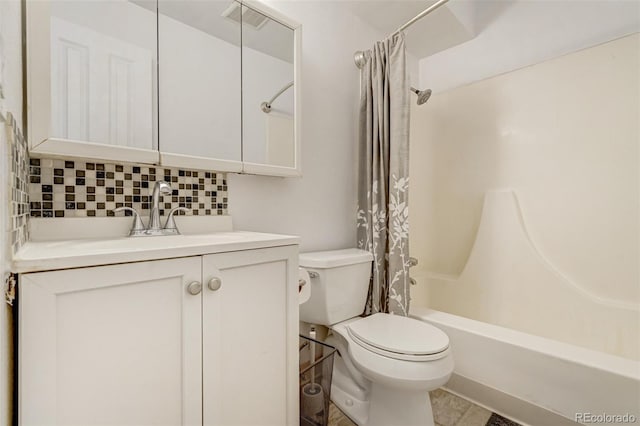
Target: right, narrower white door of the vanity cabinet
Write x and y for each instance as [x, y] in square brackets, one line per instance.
[250, 321]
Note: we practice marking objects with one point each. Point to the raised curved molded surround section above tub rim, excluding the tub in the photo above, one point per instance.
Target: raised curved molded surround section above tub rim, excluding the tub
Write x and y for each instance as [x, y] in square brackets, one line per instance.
[506, 260]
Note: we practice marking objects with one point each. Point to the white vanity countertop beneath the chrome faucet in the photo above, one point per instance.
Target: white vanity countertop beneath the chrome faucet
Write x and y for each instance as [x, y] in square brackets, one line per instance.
[51, 255]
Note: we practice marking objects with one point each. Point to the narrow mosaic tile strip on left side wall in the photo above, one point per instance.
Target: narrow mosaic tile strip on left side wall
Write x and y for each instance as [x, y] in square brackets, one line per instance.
[19, 198]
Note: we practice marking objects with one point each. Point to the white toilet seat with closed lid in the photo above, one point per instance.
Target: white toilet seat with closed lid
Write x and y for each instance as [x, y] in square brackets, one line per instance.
[399, 337]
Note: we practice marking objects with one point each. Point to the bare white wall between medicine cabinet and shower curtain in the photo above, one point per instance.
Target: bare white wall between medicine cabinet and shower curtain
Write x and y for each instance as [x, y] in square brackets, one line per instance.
[320, 206]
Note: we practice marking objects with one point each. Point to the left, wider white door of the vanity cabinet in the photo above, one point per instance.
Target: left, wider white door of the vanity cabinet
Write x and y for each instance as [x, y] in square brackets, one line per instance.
[111, 345]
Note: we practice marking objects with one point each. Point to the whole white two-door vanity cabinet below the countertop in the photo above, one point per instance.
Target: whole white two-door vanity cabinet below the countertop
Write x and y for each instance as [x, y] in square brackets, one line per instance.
[200, 340]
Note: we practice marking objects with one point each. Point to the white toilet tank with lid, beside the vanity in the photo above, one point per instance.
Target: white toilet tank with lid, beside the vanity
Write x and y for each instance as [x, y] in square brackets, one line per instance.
[339, 291]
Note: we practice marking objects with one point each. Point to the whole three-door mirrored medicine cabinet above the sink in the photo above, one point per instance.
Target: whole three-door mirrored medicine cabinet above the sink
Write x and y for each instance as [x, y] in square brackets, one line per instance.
[205, 84]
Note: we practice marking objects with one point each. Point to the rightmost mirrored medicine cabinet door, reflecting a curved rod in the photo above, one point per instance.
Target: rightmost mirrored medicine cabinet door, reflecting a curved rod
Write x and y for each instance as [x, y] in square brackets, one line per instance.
[270, 85]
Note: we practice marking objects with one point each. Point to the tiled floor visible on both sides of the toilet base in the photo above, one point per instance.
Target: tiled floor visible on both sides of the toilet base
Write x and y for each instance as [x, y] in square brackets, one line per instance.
[448, 410]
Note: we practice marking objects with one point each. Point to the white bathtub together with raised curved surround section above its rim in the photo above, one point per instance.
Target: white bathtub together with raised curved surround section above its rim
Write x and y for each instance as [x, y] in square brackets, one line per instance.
[529, 376]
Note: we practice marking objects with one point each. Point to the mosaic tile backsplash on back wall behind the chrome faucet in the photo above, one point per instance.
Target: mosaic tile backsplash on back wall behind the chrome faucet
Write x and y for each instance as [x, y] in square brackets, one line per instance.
[72, 188]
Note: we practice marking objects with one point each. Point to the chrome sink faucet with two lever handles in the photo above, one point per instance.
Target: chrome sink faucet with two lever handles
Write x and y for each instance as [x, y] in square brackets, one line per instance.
[138, 229]
